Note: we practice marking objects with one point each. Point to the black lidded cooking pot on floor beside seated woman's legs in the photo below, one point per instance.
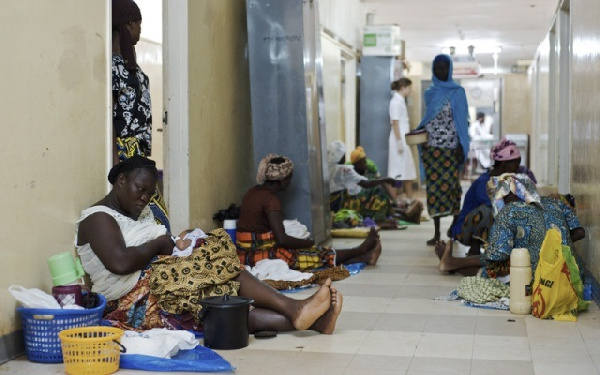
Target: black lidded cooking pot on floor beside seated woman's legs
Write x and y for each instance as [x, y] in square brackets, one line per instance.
[225, 321]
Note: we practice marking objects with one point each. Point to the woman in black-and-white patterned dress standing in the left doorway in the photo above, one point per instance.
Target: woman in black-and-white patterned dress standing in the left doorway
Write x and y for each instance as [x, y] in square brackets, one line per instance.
[132, 111]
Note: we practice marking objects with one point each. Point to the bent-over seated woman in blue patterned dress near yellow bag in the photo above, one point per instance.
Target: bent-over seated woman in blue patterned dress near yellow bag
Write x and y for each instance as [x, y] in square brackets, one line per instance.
[521, 220]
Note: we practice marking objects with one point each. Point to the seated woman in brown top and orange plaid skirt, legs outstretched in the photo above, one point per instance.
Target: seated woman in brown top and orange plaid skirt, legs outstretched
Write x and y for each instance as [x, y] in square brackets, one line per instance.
[261, 233]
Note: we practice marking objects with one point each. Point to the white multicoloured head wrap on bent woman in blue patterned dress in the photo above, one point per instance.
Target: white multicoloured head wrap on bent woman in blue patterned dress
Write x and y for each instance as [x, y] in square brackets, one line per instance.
[518, 184]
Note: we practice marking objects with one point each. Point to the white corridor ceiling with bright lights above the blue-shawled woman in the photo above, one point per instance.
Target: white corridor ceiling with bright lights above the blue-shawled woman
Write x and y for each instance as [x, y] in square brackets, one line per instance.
[517, 26]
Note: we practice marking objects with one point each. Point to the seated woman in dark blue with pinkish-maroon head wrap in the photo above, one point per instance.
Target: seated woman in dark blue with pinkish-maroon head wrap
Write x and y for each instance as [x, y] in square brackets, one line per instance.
[475, 219]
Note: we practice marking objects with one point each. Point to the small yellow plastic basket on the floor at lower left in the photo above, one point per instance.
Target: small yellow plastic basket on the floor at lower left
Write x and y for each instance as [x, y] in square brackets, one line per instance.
[91, 350]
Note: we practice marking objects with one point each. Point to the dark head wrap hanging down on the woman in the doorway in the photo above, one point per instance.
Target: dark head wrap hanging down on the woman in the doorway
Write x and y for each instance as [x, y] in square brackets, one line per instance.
[125, 11]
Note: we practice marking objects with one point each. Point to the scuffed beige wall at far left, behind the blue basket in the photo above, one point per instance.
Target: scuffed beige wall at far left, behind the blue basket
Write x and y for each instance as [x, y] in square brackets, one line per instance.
[55, 109]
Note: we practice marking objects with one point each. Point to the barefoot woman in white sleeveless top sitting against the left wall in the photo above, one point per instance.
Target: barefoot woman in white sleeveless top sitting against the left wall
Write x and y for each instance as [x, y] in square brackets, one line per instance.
[126, 253]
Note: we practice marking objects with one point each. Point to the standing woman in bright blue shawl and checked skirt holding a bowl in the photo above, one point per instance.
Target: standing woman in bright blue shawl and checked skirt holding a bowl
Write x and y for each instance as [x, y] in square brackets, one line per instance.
[446, 120]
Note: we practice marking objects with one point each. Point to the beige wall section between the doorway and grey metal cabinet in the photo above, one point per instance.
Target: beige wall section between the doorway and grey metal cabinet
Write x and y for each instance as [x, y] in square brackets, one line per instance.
[220, 134]
